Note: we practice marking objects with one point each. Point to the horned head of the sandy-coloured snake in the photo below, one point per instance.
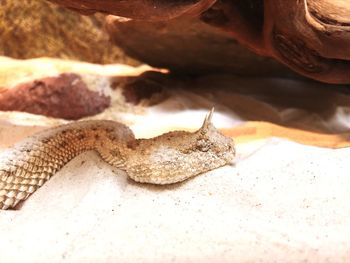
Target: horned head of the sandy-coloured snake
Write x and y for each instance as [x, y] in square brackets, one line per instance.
[176, 156]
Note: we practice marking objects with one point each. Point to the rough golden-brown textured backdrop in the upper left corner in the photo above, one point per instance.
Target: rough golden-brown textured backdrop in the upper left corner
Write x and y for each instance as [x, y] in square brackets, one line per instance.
[36, 28]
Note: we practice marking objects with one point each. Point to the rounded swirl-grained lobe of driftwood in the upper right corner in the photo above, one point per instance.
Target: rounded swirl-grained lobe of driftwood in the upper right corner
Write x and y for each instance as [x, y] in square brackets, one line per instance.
[312, 47]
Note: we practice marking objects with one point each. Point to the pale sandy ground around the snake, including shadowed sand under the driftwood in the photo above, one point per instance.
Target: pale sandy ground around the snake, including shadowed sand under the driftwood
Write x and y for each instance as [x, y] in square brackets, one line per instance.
[281, 202]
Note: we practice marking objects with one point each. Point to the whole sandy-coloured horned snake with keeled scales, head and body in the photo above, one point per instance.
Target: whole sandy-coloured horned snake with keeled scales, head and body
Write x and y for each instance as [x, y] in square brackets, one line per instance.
[166, 159]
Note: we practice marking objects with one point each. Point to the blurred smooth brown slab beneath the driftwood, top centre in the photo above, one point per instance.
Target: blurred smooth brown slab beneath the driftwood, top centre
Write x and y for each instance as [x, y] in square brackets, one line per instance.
[189, 46]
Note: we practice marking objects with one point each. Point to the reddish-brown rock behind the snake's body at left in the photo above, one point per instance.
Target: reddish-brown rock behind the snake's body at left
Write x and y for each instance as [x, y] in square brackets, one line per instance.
[53, 97]
